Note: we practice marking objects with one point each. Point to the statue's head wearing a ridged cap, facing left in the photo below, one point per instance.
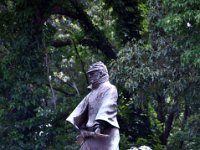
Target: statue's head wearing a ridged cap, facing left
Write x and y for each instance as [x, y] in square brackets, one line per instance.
[97, 73]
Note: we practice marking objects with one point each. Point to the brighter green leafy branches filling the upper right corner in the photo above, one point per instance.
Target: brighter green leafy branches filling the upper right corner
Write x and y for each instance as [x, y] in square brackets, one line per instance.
[183, 19]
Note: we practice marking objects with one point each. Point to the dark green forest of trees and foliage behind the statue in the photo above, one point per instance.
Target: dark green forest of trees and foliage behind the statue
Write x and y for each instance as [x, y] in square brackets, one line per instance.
[152, 51]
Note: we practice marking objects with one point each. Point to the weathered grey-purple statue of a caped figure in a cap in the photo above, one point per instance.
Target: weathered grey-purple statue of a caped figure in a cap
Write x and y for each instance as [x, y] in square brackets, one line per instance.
[96, 115]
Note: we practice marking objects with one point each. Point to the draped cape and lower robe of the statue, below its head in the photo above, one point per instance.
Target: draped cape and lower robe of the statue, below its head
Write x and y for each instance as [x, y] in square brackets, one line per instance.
[99, 105]
